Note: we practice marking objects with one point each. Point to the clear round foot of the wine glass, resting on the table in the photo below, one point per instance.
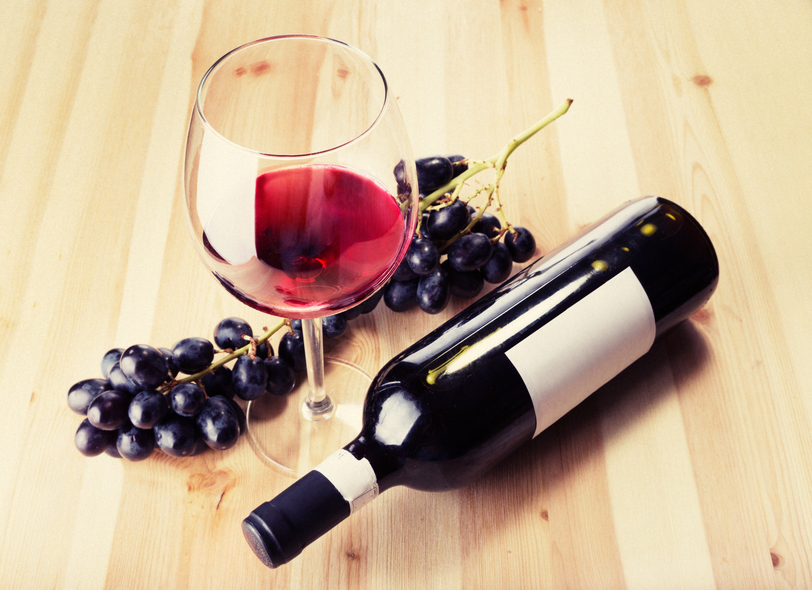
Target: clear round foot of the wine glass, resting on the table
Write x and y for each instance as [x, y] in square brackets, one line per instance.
[282, 437]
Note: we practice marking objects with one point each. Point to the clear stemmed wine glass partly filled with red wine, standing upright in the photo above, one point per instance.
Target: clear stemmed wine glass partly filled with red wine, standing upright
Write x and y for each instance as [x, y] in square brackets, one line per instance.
[301, 196]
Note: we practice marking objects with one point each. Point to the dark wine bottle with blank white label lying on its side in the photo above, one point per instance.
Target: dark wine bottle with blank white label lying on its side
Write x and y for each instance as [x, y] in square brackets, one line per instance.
[451, 406]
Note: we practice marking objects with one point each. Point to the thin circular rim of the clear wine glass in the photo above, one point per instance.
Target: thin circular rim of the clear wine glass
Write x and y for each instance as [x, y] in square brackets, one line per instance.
[267, 155]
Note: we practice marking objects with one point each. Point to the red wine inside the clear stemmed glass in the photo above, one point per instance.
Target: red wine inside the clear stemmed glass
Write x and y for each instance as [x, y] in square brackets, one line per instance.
[325, 238]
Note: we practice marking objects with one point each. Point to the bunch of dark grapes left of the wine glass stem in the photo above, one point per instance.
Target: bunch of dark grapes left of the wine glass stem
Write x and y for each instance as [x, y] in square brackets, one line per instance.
[181, 400]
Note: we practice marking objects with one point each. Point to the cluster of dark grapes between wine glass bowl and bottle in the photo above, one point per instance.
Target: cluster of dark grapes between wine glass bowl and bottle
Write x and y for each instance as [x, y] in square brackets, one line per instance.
[457, 248]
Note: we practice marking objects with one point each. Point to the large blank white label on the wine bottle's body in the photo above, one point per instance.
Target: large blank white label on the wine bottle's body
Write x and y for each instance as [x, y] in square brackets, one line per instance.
[584, 347]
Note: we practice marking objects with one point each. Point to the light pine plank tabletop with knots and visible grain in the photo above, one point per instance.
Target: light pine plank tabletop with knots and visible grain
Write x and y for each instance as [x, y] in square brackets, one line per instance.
[693, 469]
